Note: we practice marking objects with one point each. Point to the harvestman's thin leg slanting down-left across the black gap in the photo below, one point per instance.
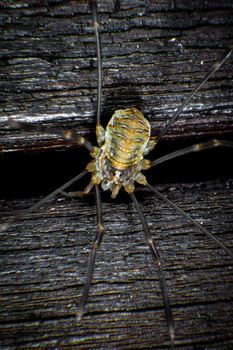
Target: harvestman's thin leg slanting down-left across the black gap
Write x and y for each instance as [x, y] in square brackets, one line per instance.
[6, 225]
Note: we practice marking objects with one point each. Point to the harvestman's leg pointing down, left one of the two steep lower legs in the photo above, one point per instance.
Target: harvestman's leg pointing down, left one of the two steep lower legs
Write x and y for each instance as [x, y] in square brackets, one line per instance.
[91, 264]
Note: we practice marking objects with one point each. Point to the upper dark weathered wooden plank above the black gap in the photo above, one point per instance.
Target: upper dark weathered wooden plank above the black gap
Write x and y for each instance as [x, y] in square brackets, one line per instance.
[154, 53]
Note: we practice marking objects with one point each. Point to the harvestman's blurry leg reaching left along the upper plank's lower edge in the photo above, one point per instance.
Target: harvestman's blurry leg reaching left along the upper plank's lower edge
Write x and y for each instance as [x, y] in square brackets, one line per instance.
[65, 134]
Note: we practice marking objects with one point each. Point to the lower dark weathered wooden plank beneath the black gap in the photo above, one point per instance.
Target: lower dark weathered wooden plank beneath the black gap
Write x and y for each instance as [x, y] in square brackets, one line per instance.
[44, 262]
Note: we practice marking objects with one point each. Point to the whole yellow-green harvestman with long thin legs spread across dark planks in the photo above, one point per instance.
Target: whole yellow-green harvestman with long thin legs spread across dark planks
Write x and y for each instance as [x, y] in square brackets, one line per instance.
[117, 162]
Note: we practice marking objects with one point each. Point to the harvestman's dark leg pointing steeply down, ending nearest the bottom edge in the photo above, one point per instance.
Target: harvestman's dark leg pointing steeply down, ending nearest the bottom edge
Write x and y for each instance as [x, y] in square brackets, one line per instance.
[157, 261]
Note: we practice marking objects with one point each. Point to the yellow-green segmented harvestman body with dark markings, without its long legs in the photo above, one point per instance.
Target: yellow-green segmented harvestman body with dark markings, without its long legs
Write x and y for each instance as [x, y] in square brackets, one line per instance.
[118, 160]
